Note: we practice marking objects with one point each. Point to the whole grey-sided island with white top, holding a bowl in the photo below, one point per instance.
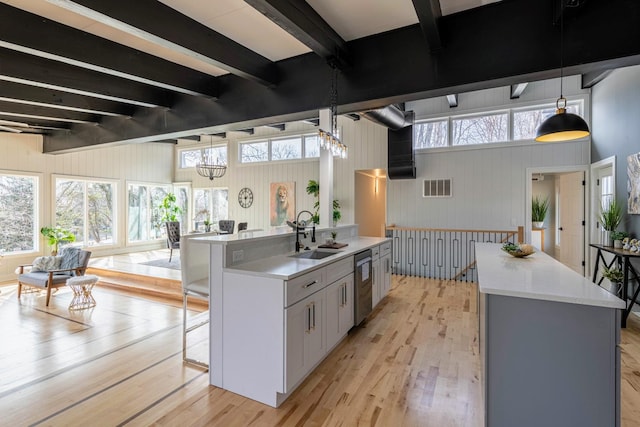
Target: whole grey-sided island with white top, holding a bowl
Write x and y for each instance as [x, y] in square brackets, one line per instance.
[548, 342]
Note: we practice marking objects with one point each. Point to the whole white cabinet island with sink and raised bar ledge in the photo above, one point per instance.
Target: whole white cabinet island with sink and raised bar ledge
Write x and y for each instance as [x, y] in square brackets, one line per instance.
[275, 317]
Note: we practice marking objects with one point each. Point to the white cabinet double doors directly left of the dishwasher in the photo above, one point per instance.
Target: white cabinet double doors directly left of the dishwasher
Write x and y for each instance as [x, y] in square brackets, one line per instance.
[339, 302]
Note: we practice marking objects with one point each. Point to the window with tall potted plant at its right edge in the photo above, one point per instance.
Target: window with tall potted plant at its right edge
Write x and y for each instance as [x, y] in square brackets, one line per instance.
[144, 212]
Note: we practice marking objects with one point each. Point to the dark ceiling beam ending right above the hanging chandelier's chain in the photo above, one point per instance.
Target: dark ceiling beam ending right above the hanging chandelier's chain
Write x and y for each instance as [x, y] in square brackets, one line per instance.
[300, 20]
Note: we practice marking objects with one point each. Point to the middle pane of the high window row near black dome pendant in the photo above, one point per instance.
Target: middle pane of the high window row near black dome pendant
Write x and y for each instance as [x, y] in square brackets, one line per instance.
[480, 129]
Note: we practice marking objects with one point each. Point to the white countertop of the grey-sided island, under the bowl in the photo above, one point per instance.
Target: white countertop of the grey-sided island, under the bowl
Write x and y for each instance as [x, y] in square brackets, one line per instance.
[537, 276]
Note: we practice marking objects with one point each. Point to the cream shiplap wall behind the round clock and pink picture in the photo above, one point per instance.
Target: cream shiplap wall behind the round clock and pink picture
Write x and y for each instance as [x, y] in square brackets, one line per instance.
[367, 144]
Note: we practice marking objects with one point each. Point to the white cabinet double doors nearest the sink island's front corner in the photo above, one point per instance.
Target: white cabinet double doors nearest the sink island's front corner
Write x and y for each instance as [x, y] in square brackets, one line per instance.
[305, 341]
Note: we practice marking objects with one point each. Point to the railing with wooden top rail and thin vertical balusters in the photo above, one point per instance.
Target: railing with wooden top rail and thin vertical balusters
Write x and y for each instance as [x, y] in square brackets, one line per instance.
[442, 253]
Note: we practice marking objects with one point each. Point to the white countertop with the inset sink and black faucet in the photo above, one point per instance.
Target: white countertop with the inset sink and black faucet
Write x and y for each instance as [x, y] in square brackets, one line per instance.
[285, 267]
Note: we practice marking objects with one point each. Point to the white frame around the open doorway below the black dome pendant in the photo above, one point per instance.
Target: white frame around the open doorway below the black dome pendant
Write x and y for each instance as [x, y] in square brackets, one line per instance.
[530, 172]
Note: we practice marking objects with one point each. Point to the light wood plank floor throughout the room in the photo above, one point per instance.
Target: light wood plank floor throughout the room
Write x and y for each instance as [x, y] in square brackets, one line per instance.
[414, 363]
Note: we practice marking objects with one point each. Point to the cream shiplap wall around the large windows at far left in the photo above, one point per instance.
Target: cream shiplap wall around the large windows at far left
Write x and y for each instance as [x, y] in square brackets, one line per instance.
[151, 163]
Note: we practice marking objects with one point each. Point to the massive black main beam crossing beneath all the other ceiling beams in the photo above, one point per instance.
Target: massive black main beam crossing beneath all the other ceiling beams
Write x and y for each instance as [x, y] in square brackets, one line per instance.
[394, 67]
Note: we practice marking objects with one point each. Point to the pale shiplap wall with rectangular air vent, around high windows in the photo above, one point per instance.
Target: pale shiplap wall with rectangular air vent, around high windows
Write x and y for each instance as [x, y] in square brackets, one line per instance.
[488, 181]
